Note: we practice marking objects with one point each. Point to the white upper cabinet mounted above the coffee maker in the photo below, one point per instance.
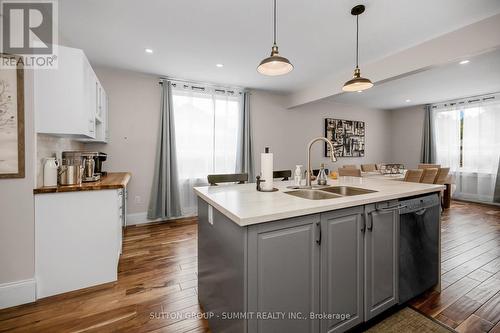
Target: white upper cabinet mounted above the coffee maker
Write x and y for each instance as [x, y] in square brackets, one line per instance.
[70, 101]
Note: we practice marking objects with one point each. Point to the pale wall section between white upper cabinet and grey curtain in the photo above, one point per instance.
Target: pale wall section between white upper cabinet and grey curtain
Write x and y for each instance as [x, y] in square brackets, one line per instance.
[134, 111]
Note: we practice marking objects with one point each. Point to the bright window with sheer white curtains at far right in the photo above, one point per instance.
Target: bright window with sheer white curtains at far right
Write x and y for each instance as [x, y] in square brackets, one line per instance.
[467, 140]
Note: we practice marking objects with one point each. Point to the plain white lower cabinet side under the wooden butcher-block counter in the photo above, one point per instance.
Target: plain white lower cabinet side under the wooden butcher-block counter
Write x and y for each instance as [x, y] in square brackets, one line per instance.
[76, 240]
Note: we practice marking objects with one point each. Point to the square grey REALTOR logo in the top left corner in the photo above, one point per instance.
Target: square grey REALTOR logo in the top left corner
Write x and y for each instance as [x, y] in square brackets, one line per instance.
[29, 30]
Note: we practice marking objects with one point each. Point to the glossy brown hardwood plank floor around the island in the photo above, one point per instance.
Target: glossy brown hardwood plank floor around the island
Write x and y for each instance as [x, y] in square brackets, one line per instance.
[157, 277]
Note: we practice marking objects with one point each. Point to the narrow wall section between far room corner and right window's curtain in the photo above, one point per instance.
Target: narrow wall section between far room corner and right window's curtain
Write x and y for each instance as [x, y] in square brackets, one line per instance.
[406, 135]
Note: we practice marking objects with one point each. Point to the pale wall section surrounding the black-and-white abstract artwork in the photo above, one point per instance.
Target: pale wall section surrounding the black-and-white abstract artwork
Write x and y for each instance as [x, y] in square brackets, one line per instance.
[288, 131]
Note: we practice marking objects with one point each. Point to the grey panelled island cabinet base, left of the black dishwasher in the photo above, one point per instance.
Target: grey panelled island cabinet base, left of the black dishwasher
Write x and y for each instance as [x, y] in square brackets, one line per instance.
[323, 272]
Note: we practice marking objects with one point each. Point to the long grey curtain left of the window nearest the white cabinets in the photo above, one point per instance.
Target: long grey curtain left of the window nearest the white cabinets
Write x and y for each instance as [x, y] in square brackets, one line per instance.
[164, 202]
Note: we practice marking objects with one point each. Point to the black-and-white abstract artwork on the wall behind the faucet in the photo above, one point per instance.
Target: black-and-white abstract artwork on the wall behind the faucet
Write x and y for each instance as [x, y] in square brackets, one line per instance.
[347, 136]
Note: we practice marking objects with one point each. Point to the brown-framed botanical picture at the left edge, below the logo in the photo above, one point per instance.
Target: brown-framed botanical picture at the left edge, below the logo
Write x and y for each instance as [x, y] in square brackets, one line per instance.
[11, 121]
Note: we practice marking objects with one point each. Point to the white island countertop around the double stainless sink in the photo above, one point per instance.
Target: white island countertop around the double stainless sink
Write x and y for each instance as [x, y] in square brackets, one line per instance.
[245, 205]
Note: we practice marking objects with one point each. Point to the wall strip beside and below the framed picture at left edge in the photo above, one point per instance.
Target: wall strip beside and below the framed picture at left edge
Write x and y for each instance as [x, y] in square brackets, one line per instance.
[17, 219]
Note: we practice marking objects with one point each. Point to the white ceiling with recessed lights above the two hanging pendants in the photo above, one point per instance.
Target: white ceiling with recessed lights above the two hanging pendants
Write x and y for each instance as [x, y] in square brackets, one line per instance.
[190, 37]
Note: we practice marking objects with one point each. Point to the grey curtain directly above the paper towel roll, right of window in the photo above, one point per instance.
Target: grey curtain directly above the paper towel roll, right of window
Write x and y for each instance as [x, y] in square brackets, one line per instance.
[244, 161]
